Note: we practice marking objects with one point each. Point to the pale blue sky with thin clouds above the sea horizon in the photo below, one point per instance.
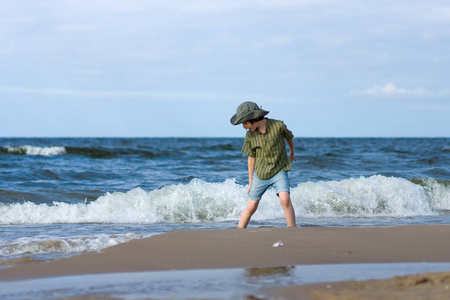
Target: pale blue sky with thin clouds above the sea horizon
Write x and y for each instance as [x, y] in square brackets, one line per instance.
[177, 68]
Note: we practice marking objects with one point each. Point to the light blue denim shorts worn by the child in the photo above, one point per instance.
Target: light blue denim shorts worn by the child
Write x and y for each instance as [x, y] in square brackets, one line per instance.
[259, 186]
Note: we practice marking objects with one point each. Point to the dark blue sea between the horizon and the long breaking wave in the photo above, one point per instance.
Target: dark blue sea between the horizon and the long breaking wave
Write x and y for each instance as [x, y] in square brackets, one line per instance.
[91, 167]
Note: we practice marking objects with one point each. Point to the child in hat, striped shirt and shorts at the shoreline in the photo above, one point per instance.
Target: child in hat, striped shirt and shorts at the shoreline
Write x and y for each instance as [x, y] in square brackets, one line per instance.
[266, 149]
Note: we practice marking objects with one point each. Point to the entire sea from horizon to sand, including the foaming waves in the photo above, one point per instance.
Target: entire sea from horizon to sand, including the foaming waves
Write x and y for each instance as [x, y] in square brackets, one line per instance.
[65, 196]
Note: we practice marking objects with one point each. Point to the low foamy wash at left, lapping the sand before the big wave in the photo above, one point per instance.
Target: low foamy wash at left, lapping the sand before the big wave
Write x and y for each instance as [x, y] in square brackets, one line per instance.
[74, 244]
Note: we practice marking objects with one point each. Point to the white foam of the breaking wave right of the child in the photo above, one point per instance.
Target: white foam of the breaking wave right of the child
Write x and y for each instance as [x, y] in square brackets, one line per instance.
[365, 197]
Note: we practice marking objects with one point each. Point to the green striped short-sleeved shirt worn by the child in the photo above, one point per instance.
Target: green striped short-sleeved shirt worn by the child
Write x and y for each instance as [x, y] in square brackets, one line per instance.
[269, 149]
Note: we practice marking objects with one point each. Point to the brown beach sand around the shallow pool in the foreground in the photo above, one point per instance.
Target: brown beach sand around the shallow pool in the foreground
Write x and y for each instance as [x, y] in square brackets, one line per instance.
[249, 248]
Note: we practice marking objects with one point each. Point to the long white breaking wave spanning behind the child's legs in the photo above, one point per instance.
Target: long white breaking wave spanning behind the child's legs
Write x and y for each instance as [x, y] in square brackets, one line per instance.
[200, 201]
